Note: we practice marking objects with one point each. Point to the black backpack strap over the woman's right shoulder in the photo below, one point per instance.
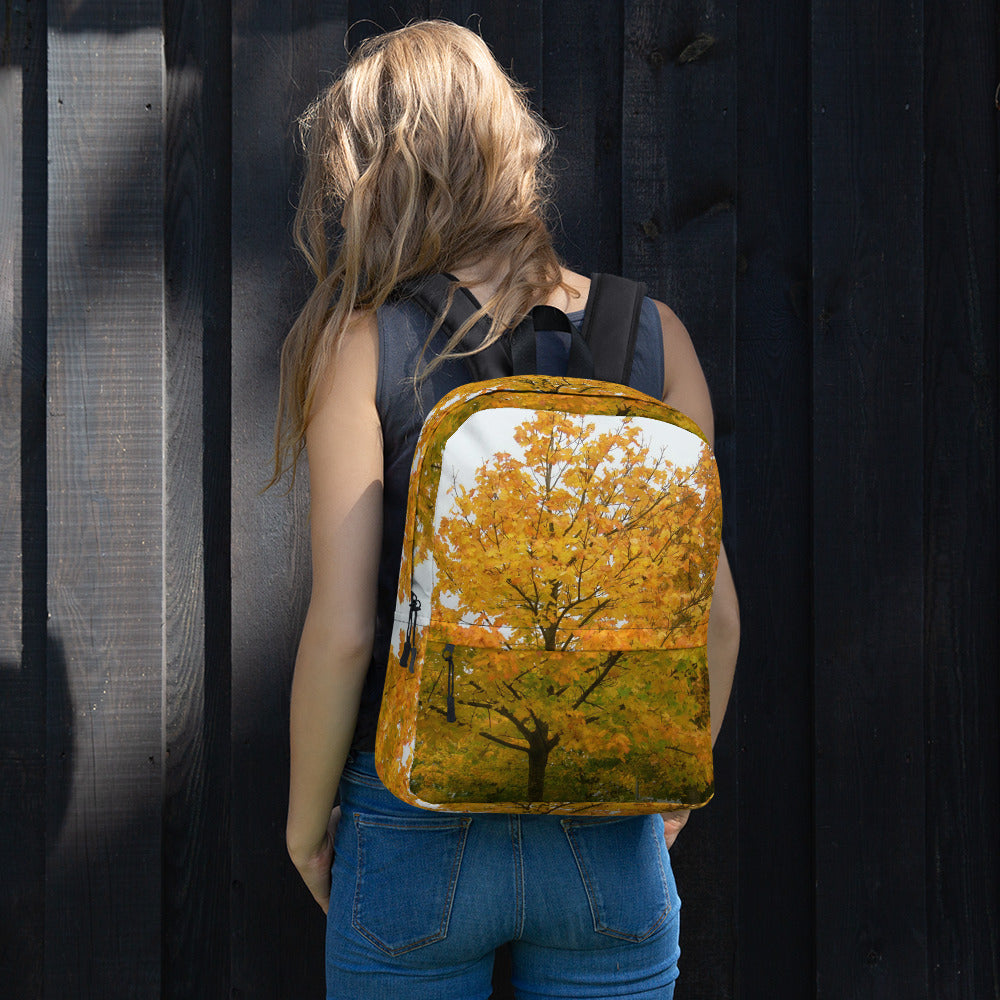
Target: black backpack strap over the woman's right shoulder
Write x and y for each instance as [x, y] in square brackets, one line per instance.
[611, 323]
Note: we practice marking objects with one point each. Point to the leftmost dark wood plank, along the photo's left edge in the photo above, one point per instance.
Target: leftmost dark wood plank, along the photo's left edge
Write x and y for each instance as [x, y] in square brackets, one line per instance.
[22, 663]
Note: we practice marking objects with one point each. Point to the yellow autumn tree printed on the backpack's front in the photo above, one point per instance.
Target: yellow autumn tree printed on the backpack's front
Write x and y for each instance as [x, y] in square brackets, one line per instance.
[578, 571]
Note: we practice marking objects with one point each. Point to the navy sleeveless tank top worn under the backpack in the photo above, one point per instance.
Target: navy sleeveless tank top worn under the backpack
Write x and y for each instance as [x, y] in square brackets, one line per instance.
[402, 332]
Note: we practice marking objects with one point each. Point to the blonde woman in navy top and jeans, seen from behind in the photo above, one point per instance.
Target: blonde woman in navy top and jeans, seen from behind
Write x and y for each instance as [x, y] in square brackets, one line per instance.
[430, 158]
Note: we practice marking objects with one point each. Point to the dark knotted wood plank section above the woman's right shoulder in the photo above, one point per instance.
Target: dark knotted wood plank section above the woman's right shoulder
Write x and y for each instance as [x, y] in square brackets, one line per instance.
[679, 163]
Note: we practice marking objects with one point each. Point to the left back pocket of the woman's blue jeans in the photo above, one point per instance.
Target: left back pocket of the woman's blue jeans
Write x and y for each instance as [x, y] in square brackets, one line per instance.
[407, 873]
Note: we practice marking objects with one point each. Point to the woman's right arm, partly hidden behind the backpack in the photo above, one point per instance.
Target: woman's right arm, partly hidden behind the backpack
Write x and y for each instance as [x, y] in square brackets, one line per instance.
[685, 389]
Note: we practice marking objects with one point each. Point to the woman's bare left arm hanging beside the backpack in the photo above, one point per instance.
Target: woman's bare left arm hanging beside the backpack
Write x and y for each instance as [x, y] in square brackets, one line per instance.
[344, 445]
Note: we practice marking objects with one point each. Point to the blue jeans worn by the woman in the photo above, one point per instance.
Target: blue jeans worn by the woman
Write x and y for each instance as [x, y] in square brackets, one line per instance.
[420, 901]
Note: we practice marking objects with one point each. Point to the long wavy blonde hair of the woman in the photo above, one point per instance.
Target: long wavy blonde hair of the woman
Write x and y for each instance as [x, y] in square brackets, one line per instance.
[432, 160]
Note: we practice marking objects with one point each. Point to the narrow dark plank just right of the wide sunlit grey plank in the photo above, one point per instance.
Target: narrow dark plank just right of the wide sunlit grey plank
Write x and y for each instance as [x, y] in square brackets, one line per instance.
[196, 830]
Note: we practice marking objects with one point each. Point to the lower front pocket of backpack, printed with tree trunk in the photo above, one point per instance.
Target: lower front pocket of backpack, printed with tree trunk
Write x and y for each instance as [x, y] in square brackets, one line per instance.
[518, 726]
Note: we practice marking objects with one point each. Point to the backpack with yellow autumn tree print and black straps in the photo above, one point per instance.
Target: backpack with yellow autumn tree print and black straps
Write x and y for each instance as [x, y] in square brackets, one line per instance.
[560, 549]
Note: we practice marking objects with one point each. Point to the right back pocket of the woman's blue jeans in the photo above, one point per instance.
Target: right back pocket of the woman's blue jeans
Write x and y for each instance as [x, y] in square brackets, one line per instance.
[621, 863]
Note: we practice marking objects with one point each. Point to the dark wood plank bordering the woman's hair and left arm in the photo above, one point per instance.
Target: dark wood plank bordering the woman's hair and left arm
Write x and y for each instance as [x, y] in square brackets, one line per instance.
[282, 55]
